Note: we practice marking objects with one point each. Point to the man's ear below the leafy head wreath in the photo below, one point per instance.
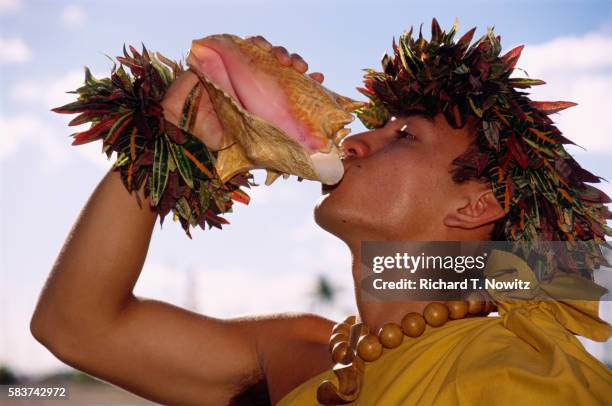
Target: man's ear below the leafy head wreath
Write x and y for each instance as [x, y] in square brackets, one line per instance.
[474, 211]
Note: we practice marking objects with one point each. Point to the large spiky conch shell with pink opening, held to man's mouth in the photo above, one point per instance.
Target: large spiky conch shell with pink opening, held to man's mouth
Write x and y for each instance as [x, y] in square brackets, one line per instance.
[272, 116]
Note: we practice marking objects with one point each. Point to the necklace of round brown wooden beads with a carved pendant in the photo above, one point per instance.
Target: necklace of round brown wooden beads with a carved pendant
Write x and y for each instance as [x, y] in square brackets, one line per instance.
[352, 345]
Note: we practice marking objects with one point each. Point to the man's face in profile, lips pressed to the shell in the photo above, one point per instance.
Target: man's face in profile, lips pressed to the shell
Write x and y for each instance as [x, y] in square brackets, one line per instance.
[397, 184]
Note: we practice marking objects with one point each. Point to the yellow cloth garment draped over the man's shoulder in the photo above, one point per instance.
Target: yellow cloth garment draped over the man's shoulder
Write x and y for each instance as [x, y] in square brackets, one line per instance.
[527, 355]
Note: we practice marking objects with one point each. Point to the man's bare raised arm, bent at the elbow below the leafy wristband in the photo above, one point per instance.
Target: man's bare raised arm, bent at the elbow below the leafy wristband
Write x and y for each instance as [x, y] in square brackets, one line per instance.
[88, 316]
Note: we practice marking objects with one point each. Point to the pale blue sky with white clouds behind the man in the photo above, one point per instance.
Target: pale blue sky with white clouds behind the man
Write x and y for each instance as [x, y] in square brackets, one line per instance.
[44, 181]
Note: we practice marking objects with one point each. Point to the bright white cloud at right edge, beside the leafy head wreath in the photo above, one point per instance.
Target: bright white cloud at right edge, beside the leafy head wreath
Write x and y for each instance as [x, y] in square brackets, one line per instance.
[578, 69]
